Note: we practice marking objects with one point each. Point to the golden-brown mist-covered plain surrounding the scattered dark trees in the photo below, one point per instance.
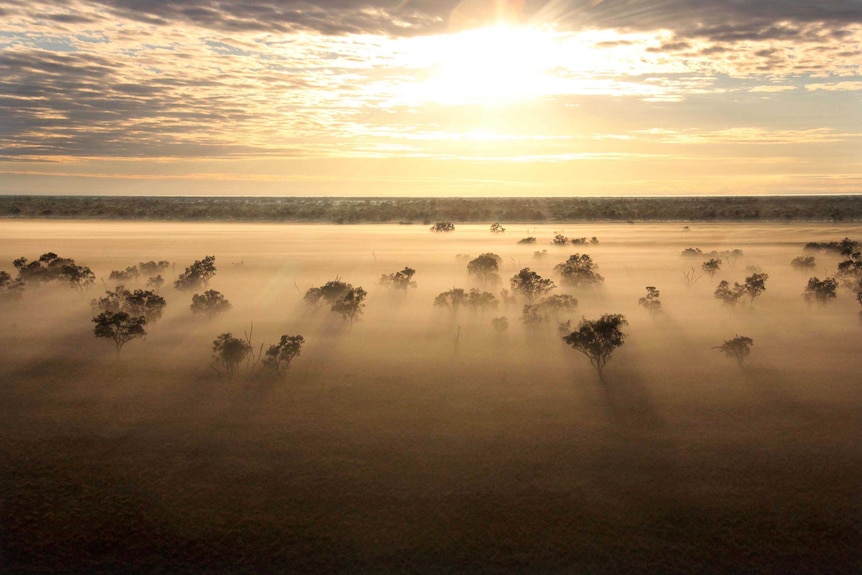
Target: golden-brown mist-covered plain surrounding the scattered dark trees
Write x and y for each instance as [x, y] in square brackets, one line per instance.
[415, 440]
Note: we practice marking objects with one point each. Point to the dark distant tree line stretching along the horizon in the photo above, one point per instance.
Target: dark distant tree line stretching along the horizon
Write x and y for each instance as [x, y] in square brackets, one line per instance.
[427, 211]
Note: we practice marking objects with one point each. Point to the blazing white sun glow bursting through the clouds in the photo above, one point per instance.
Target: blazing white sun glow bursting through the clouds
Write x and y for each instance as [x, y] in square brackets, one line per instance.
[489, 66]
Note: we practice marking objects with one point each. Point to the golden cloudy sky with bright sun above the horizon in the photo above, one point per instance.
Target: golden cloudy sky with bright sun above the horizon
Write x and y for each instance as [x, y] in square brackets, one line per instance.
[431, 97]
